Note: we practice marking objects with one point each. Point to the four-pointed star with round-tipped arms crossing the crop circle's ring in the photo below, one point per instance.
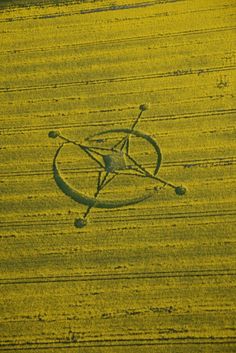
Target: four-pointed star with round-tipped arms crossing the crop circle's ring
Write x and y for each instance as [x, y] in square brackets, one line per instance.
[115, 161]
